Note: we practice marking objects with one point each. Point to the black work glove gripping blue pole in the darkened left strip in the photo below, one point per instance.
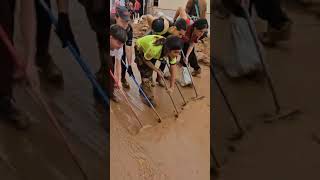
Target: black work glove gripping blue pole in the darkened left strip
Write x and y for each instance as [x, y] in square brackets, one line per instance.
[64, 31]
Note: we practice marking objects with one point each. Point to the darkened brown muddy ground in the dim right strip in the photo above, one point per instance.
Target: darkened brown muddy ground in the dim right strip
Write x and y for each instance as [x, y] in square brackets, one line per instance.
[285, 149]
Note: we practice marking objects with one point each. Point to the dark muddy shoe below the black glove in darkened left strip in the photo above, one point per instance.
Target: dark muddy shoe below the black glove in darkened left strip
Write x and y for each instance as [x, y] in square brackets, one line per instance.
[49, 68]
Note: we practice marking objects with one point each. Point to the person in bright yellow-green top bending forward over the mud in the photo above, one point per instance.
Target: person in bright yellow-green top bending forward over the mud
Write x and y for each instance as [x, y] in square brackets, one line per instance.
[148, 50]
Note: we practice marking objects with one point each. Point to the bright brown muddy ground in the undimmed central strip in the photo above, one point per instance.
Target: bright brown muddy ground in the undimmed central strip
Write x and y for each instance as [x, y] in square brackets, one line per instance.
[178, 148]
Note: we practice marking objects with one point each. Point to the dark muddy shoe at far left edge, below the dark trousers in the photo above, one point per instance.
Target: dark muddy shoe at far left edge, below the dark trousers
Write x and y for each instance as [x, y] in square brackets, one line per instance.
[11, 112]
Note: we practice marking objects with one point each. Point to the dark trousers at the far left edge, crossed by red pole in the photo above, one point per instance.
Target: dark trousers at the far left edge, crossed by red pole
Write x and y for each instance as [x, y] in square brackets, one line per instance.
[7, 8]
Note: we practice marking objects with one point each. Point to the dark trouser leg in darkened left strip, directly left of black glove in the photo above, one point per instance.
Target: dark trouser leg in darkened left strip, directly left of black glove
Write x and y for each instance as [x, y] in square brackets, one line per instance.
[43, 29]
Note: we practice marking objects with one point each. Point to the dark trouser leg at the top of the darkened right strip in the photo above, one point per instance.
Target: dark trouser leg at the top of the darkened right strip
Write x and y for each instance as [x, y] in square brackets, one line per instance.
[271, 11]
